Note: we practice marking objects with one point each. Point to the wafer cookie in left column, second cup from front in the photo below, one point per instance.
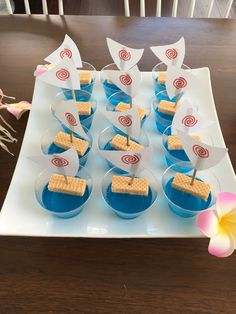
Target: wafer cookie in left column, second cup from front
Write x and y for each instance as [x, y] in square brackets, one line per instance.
[62, 140]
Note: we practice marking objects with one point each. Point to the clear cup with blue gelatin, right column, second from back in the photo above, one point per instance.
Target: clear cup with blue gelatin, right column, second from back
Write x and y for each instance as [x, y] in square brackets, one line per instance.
[163, 120]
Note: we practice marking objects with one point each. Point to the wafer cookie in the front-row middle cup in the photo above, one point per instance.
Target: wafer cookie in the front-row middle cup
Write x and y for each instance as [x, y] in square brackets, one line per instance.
[138, 186]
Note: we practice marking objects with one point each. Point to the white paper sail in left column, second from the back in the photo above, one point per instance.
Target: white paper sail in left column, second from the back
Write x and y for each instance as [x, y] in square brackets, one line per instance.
[63, 75]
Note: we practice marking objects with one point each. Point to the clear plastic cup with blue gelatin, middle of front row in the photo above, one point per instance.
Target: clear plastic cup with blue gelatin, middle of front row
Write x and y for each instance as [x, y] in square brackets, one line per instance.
[129, 206]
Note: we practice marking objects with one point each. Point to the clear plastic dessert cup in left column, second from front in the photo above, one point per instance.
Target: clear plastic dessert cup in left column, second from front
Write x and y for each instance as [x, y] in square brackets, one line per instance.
[49, 148]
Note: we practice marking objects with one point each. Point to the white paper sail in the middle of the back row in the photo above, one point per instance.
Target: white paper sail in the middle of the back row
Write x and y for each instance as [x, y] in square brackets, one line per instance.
[124, 57]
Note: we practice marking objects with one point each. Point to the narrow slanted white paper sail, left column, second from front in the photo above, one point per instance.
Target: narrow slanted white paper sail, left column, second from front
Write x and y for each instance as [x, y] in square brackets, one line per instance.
[66, 111]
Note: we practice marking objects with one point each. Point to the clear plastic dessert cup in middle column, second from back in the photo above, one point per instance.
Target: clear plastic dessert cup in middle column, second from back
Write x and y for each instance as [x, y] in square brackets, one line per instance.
[120, 96]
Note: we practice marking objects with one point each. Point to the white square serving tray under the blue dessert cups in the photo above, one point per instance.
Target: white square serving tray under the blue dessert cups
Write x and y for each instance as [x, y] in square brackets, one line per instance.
[21, 215]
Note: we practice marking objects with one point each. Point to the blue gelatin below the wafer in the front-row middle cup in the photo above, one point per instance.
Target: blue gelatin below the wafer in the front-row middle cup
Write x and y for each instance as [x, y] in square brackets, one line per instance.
[128, 206]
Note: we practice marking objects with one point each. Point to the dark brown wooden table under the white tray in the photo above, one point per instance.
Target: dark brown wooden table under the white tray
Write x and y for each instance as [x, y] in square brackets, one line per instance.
[50, 275]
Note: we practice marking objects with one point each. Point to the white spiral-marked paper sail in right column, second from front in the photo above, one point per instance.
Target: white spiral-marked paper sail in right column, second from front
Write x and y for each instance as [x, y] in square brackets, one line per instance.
[189, 120]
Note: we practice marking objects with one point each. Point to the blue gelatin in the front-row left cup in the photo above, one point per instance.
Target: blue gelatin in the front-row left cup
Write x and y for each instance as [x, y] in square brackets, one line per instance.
[63, 204]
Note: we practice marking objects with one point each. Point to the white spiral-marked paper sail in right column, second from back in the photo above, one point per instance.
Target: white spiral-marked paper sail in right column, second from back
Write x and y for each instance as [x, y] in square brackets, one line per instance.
[179, 81]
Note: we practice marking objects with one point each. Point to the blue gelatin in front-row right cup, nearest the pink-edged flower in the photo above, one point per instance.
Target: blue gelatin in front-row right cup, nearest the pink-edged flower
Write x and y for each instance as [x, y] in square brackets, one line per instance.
[185, 201]
